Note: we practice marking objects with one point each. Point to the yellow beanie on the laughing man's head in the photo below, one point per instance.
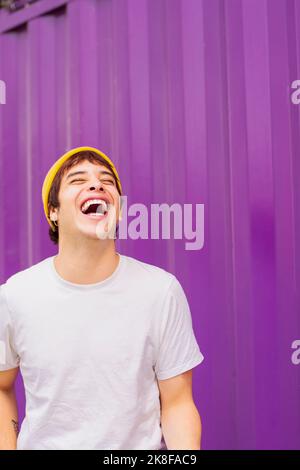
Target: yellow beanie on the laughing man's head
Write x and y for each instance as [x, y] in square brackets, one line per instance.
[57, 165]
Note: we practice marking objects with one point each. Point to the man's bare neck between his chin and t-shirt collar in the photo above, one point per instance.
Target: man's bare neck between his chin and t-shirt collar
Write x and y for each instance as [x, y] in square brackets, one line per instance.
[87, 262]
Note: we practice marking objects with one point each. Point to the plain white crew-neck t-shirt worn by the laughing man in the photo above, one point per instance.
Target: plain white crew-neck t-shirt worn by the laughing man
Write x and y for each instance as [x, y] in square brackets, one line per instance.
[90, 355]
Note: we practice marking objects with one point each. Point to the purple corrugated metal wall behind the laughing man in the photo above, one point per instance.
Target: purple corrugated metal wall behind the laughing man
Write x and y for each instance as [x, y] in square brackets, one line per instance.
[191, 99]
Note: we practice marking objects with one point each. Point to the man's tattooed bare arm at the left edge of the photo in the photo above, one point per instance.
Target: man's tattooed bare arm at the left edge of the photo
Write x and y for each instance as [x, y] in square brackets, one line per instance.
[8, 410]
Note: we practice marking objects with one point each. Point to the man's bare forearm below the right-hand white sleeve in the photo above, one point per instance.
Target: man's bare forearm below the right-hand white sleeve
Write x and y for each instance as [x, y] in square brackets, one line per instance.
[180, 420]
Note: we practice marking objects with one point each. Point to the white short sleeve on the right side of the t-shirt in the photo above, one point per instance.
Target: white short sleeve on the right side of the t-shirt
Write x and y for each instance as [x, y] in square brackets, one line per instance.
[178, 350]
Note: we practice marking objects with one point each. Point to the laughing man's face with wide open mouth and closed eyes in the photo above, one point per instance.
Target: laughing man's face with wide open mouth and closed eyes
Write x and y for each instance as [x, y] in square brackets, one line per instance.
[84, 182]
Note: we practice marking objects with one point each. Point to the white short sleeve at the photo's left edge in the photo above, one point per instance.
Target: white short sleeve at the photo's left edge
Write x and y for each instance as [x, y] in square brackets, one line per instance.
[9, 359]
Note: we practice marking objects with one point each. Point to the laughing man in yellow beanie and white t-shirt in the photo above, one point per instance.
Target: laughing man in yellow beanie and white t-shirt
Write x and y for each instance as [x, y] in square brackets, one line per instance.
[104, 342]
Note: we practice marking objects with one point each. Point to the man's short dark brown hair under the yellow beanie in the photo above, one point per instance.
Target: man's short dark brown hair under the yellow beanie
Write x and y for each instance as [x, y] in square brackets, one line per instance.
[79, 157]
